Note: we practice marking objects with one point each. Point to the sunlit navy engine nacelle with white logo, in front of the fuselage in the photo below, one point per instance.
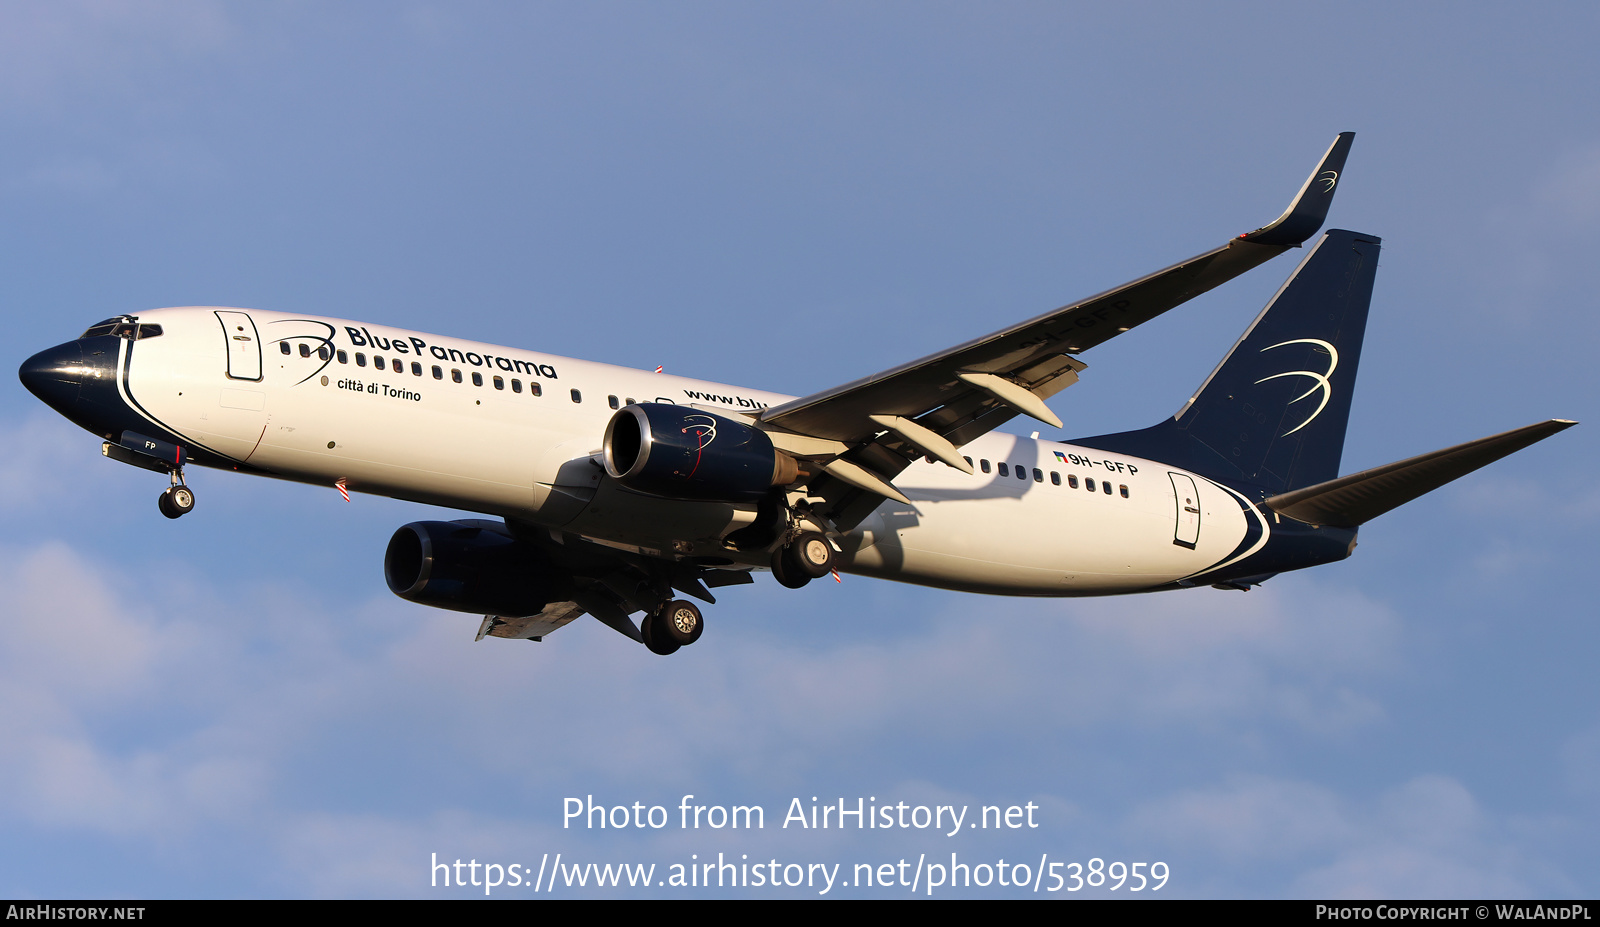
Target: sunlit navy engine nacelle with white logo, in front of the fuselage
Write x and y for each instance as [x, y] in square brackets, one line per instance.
[684, 454]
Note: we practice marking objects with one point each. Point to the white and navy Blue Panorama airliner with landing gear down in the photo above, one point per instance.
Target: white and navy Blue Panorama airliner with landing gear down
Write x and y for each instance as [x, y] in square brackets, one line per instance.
[609, 491]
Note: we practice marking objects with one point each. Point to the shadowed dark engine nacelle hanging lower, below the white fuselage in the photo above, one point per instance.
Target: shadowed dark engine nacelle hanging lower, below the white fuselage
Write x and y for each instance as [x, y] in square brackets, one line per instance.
[470, 569]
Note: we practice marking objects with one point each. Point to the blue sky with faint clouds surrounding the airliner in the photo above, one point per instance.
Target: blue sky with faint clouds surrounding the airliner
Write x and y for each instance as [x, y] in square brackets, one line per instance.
[790, 198]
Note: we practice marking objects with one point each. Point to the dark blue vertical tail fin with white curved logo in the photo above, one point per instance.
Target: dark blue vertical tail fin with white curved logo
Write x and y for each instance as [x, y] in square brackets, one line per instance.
[1274, 412]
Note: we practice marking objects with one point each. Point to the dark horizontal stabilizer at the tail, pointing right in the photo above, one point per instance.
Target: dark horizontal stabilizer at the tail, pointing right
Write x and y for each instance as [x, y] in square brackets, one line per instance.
[1358, 499]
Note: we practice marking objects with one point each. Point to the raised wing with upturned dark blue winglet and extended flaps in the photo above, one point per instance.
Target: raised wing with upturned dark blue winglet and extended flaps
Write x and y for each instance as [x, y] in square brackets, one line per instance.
[868, 431]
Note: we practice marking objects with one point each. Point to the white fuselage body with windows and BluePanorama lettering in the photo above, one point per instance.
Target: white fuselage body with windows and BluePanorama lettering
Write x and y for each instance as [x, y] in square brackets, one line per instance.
[521, 441]
